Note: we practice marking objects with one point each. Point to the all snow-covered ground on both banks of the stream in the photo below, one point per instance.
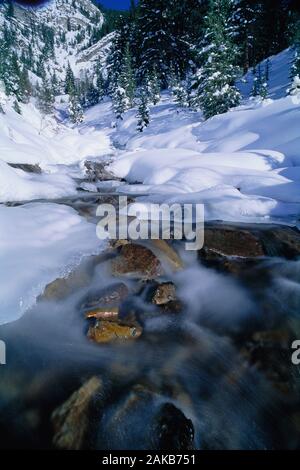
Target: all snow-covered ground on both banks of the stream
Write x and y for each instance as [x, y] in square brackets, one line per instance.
[243, 165]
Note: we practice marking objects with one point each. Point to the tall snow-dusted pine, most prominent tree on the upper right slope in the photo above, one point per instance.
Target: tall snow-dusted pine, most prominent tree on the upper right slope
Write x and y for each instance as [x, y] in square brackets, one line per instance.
[216, 91]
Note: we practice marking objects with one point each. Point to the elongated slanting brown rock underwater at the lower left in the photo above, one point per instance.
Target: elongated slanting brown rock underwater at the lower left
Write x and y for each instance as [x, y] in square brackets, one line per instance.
[71, 419]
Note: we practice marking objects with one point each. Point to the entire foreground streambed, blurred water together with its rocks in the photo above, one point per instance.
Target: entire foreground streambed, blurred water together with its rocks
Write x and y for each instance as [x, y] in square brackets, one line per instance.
[147, 346]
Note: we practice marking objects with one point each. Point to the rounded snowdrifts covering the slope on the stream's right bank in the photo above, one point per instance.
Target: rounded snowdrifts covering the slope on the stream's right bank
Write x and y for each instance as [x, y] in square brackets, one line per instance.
[243, 165]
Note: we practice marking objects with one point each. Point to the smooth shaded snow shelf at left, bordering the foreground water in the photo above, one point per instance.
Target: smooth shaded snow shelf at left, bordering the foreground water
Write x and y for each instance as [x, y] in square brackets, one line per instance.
[38, 243]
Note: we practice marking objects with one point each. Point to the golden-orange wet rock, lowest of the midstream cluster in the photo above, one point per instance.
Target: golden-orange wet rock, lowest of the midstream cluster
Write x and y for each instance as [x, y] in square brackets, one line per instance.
[105, 332]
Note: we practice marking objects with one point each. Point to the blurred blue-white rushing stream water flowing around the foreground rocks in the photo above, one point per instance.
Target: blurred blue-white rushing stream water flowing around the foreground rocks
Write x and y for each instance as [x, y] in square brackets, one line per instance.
[200, 361]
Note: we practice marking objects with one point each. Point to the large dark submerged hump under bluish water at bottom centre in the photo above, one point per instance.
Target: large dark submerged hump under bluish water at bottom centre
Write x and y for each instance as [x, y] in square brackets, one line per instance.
[143, 419]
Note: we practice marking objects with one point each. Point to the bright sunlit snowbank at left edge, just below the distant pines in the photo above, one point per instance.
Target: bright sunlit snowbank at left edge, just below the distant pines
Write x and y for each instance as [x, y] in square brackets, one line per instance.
[32, 138]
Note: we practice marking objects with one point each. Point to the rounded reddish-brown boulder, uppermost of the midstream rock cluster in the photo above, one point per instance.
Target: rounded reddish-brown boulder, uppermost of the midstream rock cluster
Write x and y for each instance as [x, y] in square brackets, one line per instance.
[138, 261]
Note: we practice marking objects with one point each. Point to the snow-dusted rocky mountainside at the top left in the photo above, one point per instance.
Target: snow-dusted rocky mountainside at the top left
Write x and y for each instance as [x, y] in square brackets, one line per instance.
[74, 26]
